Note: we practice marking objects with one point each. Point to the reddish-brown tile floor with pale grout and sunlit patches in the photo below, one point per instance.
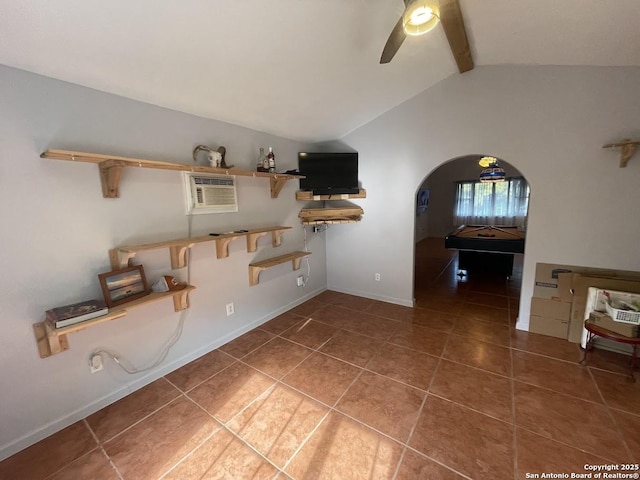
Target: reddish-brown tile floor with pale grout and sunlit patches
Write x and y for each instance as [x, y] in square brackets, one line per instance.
[343, 387]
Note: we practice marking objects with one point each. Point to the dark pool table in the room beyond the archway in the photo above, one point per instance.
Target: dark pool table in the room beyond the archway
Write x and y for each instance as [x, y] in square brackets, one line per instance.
[486, 248]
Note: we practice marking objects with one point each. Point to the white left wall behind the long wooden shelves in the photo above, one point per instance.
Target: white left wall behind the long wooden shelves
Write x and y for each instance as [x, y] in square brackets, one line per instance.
[57, 230]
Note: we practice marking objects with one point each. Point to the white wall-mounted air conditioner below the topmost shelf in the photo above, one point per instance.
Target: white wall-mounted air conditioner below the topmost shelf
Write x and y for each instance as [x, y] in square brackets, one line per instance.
[206, 193]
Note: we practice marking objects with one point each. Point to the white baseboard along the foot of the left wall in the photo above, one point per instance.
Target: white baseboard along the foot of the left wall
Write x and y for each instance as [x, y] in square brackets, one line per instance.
[55, 426]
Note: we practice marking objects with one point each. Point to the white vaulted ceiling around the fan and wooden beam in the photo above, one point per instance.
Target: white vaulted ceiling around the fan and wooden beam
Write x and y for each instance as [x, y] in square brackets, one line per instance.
[302, 69]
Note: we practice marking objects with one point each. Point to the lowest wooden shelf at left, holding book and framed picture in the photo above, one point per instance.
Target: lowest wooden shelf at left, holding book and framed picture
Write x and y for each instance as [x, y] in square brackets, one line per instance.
[54, 340]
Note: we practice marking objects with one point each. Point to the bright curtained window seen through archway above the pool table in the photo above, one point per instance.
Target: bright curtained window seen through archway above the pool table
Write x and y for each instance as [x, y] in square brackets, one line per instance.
[502, 203]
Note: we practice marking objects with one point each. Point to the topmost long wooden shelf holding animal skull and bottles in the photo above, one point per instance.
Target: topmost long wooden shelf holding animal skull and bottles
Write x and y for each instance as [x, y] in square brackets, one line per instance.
[111, 167]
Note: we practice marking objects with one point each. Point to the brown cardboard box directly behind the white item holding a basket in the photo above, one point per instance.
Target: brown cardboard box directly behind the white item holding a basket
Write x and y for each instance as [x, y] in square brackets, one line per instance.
[580, 284]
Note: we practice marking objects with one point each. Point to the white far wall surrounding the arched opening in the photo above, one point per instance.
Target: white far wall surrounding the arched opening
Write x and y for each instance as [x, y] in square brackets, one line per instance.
[548, 122]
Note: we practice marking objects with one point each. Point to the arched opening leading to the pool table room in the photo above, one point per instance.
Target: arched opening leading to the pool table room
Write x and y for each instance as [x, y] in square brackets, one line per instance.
[480, 277]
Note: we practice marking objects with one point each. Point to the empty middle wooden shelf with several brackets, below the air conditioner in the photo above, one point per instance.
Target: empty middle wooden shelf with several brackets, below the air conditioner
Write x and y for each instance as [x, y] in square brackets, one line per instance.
[120, 256]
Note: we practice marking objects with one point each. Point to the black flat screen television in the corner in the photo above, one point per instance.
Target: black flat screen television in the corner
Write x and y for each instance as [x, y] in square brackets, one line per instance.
[329, 173]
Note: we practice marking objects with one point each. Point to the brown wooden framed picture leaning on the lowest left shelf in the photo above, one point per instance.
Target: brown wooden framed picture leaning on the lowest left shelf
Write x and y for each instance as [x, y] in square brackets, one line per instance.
[124, 285]
